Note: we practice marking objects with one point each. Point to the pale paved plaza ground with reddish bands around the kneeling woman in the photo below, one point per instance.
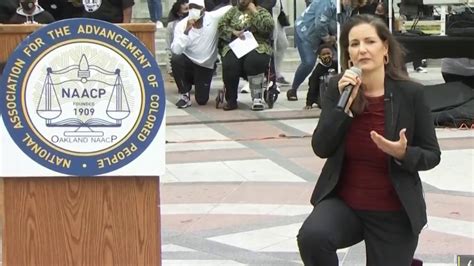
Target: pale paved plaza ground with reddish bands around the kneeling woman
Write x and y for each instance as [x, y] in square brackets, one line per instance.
[238, 184]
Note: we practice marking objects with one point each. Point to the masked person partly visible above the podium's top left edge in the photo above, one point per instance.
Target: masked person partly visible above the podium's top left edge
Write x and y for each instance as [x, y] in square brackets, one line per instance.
[29, 12]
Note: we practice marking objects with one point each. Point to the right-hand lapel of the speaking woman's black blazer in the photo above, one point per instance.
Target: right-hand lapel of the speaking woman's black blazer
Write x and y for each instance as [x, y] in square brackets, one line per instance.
[392, 108]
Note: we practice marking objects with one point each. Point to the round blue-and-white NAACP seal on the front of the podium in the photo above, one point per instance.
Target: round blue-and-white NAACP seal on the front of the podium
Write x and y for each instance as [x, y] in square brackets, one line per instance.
[82, 97]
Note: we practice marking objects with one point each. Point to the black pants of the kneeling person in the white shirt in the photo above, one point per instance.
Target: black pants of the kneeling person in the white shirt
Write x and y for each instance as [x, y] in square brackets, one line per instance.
[186, 73]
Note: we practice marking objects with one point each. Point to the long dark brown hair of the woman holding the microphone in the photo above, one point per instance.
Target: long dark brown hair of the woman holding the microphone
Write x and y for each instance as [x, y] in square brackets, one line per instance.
[395, 68]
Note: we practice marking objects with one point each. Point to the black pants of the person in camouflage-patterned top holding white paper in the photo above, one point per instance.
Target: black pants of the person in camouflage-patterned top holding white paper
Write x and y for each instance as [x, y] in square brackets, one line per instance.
[233, 68]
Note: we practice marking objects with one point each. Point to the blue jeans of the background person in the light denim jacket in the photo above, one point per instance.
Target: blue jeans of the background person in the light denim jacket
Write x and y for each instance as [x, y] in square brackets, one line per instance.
[308, 59]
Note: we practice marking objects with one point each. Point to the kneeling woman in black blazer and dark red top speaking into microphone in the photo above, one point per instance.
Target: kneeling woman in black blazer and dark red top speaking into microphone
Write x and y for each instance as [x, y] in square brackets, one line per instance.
[375, 144]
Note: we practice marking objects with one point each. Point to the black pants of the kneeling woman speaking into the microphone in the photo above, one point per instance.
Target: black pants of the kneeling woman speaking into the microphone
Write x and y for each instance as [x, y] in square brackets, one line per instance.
[333, 225]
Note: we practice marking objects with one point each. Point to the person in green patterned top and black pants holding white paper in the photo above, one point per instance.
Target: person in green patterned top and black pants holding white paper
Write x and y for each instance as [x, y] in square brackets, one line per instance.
[250, 23]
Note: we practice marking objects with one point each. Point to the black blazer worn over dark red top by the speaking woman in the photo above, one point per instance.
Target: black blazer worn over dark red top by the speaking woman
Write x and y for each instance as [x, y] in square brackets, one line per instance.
[405, 107]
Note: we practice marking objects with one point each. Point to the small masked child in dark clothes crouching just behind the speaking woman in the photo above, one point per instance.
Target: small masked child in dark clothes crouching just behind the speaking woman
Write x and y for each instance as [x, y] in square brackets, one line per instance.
[324, 63]
